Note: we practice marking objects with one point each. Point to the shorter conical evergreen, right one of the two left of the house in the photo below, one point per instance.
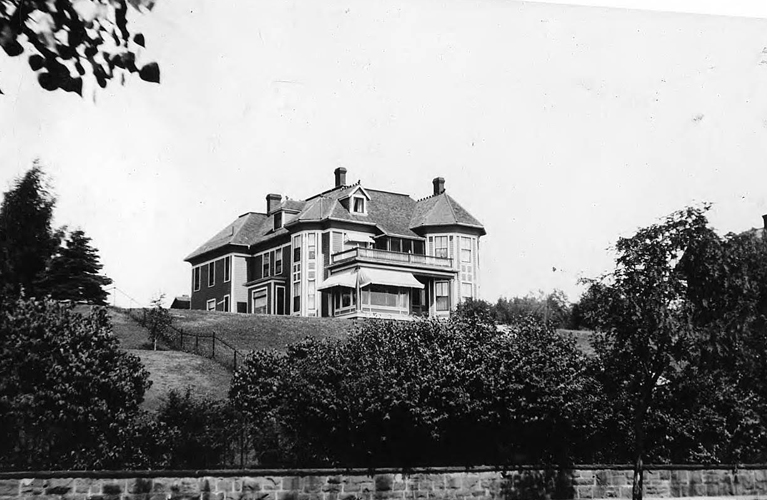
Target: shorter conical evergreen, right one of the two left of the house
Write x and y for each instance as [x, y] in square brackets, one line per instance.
[74, 272]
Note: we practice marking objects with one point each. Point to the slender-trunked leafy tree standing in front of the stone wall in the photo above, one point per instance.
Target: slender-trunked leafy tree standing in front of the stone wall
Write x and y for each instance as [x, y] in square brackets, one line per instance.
[643, 322]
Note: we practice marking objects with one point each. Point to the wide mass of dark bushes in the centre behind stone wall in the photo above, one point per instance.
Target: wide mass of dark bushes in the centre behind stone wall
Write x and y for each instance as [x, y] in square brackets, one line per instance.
[420, 393]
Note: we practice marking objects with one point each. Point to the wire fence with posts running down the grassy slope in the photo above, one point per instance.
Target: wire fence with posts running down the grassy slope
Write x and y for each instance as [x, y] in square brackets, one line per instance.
[208, 345]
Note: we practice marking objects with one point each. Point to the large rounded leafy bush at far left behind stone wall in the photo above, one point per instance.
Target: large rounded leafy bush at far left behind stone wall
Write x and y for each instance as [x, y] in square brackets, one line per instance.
[69, 397]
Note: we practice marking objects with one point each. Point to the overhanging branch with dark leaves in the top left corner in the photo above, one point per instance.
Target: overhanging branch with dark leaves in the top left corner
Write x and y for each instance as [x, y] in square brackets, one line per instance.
[72, 39]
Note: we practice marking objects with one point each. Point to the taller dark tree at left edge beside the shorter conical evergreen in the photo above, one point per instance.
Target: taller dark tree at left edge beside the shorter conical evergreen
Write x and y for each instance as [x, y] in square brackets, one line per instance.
[27, 240]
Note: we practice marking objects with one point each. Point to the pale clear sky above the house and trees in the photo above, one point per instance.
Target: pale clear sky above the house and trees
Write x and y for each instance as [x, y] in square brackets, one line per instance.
[560, 127]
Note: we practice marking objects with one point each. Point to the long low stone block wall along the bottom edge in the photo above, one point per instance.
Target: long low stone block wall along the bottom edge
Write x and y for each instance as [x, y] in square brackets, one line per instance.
[441, 484]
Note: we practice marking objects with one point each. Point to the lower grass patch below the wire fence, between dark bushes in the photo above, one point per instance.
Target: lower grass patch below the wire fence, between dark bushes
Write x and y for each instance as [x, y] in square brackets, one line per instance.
[179, 370]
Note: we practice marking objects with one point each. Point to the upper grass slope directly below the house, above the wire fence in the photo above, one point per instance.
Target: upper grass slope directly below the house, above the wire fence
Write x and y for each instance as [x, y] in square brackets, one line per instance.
[249, 332]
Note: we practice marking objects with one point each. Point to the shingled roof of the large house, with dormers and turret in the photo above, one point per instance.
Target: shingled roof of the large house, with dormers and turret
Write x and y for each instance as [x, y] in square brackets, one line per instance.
[392, 214]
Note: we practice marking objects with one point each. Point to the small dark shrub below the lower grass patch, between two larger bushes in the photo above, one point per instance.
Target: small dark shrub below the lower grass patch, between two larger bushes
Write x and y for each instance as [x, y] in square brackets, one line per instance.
[201, 432]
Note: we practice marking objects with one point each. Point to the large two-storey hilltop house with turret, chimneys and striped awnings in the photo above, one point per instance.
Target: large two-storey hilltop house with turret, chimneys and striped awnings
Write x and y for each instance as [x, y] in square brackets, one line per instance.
[350, 251]
